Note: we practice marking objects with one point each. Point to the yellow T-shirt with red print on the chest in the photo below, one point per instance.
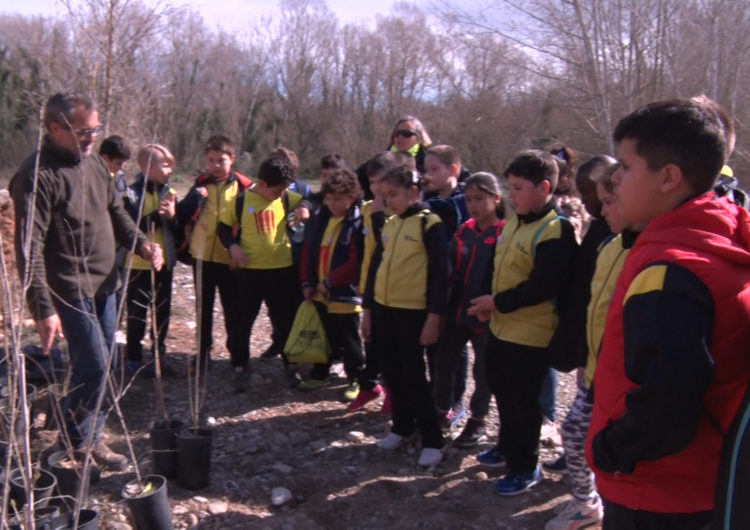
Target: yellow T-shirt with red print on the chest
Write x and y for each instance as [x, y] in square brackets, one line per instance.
[263, 234]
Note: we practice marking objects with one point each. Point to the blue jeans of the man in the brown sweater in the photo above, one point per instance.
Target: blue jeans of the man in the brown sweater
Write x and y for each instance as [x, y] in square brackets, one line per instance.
[89, 327]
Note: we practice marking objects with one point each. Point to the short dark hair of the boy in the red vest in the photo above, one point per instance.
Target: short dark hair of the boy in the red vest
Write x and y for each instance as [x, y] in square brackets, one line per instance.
[687, 133]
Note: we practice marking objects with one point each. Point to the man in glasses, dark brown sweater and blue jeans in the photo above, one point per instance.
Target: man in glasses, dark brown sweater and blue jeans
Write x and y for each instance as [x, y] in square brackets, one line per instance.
[68, 218]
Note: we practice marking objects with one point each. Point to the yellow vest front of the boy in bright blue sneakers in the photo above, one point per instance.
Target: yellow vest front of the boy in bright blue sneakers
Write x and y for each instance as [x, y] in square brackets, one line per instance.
[514, 261]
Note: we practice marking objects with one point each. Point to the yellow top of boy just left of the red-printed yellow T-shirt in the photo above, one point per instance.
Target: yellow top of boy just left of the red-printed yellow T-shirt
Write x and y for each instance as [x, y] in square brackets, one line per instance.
[204, 243]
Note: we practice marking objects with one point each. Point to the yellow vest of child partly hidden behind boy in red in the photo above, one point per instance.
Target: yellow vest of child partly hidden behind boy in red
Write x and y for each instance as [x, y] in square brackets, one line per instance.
[608, 266]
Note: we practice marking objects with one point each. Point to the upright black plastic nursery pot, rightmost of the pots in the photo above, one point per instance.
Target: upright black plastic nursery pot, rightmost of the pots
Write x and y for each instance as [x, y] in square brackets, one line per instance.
[194, 457]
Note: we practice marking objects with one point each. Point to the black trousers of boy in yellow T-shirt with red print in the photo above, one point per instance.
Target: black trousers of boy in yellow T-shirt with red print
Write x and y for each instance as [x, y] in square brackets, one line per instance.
[279, 289]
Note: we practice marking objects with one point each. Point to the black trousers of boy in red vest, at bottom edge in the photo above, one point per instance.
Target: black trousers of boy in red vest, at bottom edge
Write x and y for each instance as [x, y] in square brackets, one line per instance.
[618, 517]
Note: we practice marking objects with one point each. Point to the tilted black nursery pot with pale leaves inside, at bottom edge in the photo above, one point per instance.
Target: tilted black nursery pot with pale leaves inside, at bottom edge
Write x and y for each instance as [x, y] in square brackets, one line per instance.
[148, 504]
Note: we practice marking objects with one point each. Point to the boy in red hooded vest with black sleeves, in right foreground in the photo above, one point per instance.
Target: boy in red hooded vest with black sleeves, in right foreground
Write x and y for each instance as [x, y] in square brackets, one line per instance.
[673, 364]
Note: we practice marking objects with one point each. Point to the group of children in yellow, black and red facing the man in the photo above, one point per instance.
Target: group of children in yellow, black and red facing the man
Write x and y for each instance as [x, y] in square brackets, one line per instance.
[403, 281]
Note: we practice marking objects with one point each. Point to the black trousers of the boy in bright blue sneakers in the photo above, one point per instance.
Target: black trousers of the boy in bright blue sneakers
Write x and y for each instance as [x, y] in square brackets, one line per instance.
[514, 374]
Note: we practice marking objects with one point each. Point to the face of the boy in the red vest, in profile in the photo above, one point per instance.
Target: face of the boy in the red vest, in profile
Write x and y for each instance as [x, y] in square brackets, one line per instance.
[638, 187]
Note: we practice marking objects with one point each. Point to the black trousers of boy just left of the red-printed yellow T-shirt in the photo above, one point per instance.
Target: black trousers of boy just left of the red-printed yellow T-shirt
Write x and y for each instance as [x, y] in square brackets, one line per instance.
[210, 276]
